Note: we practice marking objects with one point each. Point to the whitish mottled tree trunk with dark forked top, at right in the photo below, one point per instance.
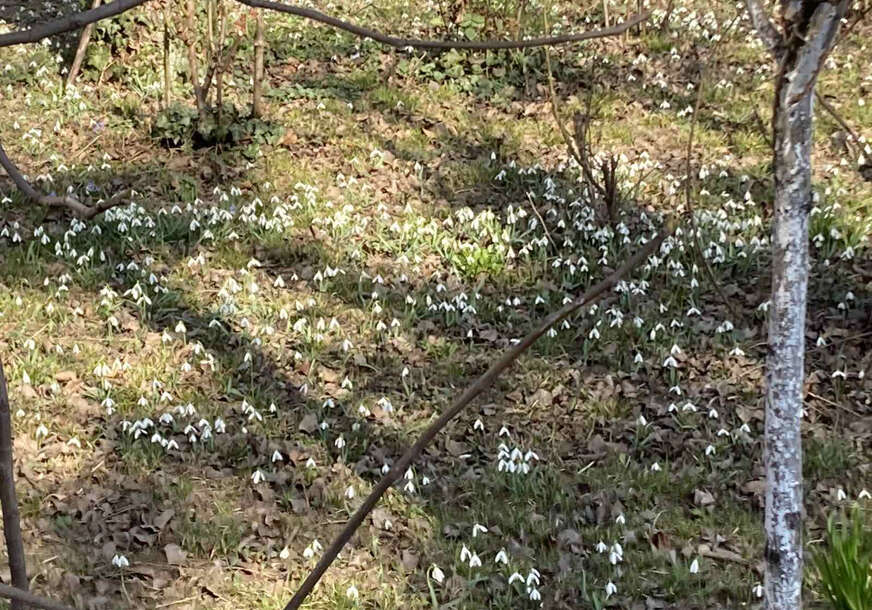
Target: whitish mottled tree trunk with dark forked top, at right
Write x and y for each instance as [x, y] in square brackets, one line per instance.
[809, 30]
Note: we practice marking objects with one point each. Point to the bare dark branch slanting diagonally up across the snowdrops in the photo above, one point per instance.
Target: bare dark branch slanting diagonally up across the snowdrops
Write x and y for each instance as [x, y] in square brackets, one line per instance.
[482, 383]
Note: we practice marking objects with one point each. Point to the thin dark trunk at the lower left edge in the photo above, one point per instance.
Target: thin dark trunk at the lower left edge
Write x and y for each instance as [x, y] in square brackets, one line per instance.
[11, 520]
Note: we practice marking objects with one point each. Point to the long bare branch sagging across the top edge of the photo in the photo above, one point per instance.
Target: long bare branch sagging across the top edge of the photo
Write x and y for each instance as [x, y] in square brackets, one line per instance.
[401, 43]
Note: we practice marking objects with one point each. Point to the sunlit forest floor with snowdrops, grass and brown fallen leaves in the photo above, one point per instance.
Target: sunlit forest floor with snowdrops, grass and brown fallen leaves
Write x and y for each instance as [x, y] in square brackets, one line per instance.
[208, 382]
